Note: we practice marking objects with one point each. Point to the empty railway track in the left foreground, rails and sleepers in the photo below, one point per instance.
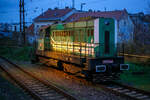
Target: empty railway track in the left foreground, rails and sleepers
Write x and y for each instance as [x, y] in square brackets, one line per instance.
[37, 88]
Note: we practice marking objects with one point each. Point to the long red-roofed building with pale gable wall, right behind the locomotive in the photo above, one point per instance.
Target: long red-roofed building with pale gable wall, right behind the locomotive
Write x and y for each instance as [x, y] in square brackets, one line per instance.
[125, 25]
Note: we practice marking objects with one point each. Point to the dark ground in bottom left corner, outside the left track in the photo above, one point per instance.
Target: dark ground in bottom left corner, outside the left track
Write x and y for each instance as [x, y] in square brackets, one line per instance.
[9, 90]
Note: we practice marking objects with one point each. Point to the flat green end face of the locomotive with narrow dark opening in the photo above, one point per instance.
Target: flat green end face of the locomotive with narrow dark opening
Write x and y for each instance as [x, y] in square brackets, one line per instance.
[107, 37]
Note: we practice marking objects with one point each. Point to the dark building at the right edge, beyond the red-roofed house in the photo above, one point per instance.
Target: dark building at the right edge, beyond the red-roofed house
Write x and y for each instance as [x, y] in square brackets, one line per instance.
[141, 28]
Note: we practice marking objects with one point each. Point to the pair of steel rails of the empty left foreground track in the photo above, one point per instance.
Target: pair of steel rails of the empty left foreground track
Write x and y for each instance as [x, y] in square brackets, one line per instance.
[44, 82]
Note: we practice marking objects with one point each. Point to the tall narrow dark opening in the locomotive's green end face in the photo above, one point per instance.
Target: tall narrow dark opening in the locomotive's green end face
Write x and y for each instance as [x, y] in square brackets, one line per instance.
[107, 39]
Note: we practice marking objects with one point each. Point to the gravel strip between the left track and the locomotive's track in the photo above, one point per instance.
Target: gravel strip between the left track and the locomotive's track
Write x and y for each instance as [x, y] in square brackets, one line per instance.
[73, 86]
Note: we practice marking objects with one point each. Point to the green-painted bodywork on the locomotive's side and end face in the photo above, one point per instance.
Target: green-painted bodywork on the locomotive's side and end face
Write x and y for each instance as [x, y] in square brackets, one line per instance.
[83, 32]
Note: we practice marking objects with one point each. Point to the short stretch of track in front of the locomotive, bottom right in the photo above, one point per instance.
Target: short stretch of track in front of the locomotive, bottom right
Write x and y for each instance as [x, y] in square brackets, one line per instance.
[126, 91]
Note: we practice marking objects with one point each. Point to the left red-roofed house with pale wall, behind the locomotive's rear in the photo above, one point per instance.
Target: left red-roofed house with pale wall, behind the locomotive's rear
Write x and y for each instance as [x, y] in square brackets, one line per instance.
[52, 16]
